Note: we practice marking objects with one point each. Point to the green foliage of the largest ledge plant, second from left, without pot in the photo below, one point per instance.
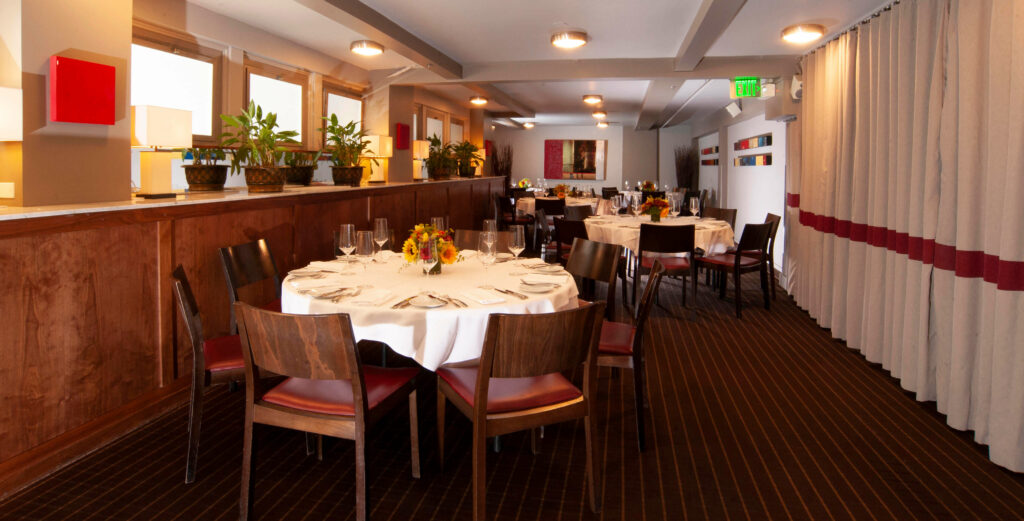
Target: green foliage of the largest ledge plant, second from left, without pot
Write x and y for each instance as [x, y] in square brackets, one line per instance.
[257, 138]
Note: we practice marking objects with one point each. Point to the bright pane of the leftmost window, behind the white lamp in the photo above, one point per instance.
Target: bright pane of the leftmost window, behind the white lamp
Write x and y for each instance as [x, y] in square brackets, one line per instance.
[177, 81]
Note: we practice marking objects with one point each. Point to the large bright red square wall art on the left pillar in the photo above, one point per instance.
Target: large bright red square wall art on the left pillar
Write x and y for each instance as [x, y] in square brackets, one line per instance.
[81, 92]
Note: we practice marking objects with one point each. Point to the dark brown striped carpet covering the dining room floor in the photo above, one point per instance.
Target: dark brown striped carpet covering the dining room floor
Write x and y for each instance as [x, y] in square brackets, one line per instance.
[765, 418]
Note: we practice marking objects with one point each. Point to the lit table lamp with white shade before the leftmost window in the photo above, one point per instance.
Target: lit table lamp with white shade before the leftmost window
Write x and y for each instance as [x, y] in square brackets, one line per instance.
[159, 127]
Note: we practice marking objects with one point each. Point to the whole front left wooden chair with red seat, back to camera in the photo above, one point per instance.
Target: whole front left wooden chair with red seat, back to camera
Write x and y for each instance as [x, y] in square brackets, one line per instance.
[328, 392]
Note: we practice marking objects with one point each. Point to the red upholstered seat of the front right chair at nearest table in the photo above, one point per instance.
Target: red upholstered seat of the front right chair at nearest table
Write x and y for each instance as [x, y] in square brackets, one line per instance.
[507, 395]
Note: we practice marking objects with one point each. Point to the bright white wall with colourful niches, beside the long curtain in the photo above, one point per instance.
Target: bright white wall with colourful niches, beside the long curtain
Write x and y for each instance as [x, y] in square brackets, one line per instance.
[760, 190]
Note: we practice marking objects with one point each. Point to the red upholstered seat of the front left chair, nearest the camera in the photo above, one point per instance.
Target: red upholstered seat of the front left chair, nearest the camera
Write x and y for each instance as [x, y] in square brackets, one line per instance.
[335, 397]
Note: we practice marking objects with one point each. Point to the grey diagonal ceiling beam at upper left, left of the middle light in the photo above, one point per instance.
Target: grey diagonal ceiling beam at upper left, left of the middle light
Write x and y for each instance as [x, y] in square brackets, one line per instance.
[364, 20]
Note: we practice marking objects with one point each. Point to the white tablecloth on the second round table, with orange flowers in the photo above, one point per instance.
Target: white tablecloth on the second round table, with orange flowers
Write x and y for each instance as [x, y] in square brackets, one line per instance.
[711, 236]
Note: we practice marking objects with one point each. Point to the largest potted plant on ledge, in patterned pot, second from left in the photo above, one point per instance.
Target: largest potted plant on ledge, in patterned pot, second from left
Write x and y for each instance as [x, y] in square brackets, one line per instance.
[259, 149]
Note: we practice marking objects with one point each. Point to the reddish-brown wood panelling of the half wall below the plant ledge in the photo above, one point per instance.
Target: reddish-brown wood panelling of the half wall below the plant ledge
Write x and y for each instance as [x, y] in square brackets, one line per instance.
[91, 344]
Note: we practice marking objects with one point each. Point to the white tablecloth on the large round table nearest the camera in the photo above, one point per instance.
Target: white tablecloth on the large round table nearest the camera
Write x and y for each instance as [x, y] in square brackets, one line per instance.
[432, 337]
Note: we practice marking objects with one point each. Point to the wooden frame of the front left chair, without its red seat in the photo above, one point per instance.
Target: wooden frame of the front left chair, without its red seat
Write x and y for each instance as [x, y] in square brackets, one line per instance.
[318, 348]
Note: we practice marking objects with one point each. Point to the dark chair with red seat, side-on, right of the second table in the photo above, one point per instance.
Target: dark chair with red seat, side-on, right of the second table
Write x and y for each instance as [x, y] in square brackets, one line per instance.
[750, 256]
